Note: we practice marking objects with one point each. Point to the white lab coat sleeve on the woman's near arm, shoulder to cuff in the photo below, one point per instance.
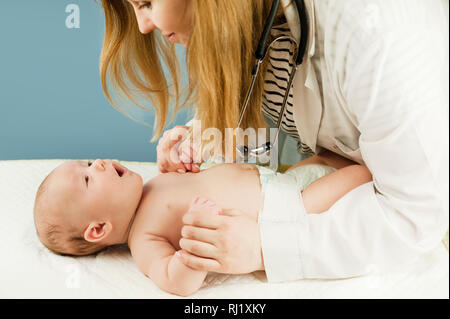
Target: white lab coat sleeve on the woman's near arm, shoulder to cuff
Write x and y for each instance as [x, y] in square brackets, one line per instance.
[397, 94]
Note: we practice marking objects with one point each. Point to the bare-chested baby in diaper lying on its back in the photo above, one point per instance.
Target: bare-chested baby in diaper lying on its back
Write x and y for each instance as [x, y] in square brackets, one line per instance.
[83, 207]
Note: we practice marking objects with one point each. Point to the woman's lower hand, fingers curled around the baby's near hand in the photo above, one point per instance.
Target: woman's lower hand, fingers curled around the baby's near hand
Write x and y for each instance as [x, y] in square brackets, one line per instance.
[220, 241]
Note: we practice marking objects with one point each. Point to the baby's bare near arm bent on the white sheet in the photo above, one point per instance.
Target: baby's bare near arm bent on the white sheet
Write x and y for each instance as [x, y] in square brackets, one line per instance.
[156, 258]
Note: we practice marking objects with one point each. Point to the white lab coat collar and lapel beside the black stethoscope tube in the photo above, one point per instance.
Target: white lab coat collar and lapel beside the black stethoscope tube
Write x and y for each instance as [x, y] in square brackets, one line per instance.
[307, 99]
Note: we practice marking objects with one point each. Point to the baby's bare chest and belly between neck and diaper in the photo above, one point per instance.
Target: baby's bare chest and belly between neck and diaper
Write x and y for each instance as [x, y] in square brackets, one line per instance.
[168, 196]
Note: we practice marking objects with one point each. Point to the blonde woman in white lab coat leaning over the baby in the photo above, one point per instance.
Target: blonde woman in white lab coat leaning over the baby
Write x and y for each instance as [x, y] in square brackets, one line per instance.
[373, 88]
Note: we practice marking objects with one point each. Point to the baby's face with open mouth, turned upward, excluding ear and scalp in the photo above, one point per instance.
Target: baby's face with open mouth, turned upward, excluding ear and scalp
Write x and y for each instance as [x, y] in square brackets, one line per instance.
[97, 190]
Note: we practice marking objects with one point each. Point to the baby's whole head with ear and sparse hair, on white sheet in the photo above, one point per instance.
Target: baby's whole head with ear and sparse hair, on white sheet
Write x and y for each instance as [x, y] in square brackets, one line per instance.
[83, 207]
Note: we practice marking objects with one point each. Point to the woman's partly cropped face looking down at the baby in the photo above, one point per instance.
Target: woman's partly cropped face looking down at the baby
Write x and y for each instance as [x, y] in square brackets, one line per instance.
[173, 18]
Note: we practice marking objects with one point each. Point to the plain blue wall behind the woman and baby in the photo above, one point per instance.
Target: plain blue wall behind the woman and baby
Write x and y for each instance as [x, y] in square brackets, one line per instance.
[51, 101]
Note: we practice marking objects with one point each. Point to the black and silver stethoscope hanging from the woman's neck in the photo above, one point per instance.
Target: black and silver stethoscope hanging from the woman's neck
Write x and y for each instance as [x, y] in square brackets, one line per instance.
[260, 54]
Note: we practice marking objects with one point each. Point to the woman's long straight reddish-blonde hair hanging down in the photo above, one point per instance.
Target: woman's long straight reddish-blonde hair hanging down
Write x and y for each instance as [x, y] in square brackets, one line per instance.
[219, 57]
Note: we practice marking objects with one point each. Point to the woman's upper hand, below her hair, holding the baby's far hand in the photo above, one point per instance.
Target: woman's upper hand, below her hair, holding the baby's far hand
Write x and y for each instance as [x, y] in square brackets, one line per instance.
[176, 152]
